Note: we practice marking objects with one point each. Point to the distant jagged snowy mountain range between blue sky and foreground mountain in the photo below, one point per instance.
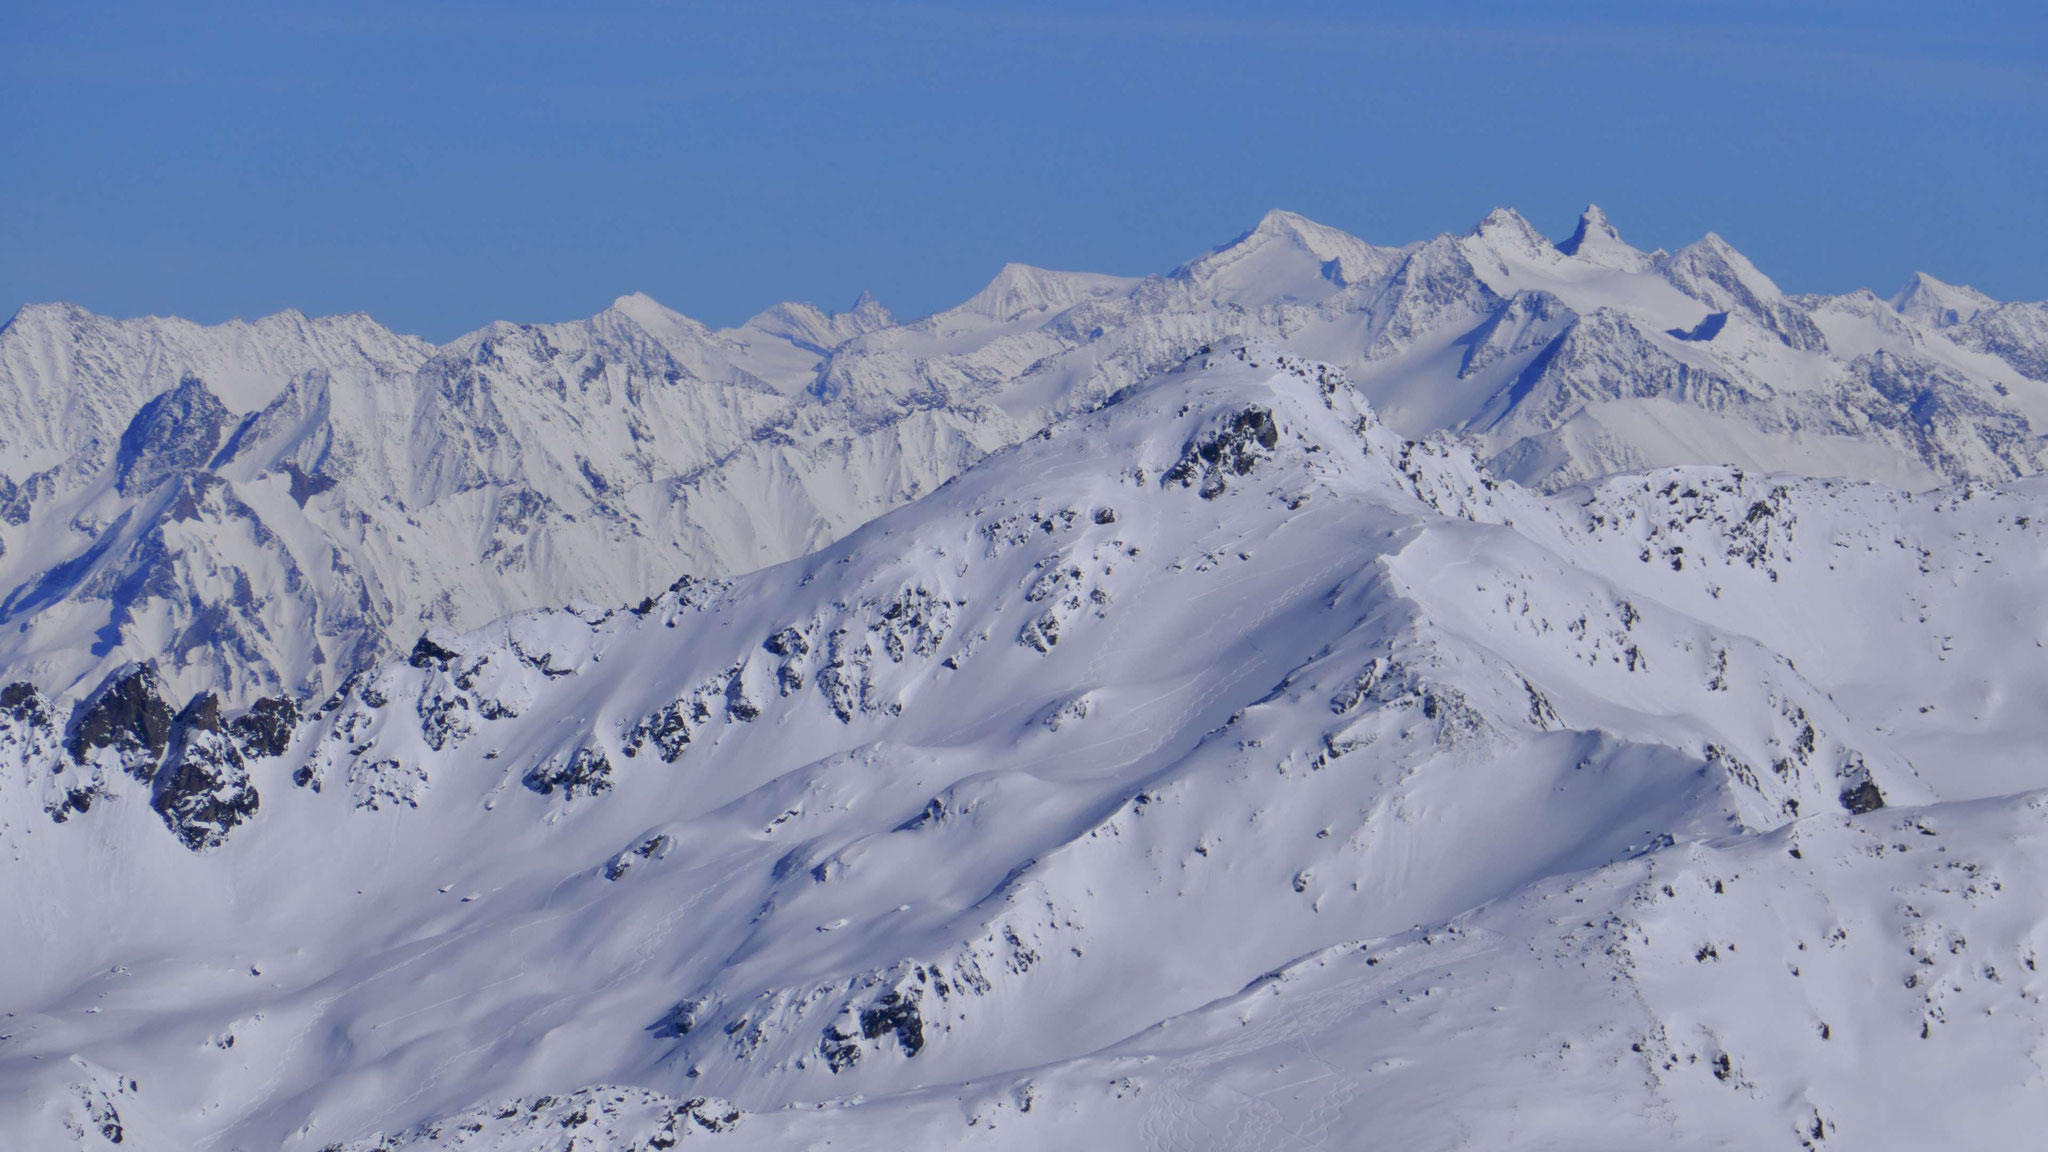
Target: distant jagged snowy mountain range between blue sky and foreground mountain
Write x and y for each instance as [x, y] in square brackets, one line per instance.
[271, 507]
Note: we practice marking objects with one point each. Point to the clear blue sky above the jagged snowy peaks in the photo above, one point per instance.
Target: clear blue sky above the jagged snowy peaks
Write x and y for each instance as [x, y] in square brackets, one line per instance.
[447, 163]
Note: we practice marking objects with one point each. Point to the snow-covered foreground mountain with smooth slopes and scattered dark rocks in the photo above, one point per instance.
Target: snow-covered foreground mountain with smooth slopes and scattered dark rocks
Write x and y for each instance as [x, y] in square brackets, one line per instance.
[1215, 770]
